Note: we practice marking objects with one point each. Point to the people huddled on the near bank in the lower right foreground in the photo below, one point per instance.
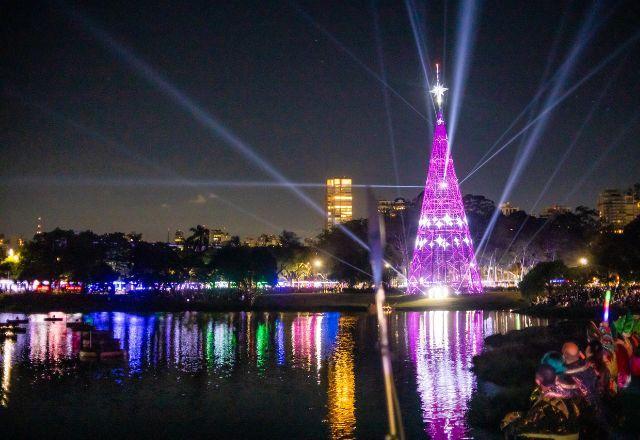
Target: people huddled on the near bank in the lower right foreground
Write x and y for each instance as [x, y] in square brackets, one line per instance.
[573, 386]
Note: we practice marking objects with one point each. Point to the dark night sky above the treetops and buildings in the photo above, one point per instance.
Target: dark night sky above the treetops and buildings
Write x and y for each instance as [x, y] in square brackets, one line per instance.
[89, 143]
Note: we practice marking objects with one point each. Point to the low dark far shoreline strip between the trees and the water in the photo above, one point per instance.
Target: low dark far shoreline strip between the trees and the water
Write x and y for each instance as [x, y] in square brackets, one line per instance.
[300, 302]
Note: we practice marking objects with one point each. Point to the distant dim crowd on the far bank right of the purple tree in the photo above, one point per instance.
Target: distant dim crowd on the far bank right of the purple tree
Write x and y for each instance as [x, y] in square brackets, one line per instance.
[567, 296]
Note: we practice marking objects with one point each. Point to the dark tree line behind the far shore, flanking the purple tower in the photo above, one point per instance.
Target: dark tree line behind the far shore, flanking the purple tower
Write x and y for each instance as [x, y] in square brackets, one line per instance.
[517, 242]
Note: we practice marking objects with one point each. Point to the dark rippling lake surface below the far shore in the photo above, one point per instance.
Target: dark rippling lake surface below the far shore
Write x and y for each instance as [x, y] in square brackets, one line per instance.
[305, 374]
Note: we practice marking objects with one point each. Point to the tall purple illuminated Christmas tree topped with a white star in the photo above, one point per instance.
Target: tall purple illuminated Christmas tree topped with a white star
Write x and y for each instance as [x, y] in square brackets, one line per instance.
[443, 257]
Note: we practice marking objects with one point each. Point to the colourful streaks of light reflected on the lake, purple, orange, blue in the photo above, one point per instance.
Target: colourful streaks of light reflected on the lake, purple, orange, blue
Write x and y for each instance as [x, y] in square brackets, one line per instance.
[328, 355]
